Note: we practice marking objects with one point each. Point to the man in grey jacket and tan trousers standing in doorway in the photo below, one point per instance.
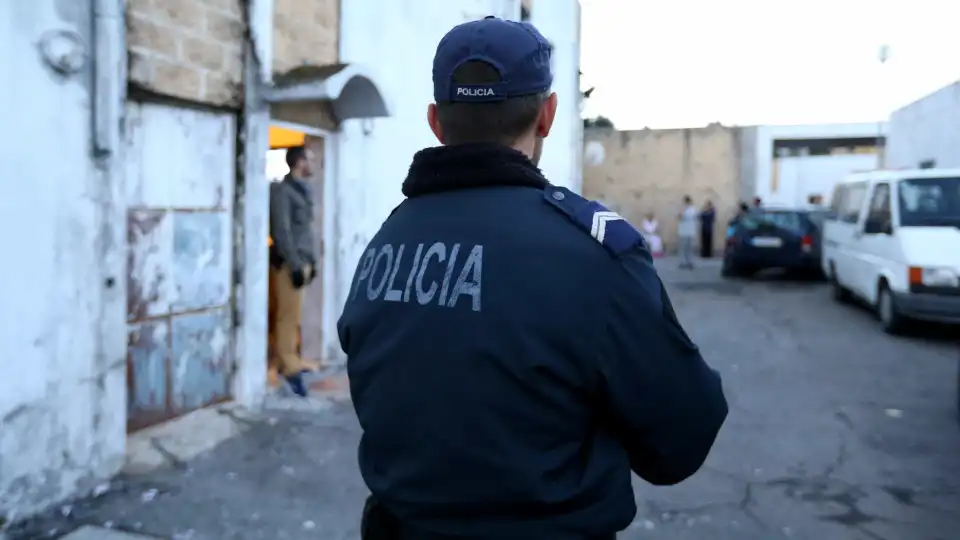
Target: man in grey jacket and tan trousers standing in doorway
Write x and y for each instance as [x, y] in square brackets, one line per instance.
[293, 261]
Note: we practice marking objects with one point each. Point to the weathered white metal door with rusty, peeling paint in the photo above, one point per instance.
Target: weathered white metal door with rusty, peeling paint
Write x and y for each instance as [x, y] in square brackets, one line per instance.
[180, 187]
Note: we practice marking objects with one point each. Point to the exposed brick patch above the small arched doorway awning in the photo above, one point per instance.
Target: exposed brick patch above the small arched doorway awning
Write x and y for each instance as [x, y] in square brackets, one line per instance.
[305, 32]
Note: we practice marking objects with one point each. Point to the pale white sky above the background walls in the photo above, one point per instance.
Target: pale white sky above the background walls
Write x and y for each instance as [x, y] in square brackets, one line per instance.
[686, 63]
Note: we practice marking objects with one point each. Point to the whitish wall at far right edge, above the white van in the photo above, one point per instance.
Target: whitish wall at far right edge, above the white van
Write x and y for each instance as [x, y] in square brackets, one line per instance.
[927, 129]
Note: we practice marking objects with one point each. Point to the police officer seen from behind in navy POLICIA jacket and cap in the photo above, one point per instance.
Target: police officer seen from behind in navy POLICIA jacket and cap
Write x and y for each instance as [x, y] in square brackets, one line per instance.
[511, 350]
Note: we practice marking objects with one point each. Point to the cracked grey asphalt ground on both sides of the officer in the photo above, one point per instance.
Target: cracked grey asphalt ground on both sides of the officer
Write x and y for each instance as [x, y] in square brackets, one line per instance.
[836, 432]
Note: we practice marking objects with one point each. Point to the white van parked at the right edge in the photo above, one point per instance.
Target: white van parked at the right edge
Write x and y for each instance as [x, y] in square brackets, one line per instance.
[892, 240]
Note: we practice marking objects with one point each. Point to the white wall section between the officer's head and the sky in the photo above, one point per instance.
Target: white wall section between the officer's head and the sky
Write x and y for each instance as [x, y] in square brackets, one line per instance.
[561, 161]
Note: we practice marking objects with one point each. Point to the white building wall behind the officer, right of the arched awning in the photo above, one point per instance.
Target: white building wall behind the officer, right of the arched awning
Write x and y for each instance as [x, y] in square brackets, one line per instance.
[373, 156]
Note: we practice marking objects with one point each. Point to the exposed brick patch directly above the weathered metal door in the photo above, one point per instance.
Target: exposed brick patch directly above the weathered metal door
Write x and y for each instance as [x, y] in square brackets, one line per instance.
[189, 49]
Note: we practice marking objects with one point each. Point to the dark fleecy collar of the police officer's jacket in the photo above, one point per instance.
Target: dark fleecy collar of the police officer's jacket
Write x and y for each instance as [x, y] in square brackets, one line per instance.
[470, 166]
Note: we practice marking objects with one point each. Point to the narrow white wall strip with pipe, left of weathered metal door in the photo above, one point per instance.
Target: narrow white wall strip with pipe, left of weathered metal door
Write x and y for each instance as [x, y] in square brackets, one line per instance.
[108, 98]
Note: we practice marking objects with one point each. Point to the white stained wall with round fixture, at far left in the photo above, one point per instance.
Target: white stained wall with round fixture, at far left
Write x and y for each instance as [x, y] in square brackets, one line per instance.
[62, 395]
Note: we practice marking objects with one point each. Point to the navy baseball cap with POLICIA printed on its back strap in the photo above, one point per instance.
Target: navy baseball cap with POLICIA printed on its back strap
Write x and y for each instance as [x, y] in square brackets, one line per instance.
[516, 50]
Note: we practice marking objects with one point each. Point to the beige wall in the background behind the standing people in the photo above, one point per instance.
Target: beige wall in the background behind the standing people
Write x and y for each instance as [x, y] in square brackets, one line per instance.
[651, 170]
